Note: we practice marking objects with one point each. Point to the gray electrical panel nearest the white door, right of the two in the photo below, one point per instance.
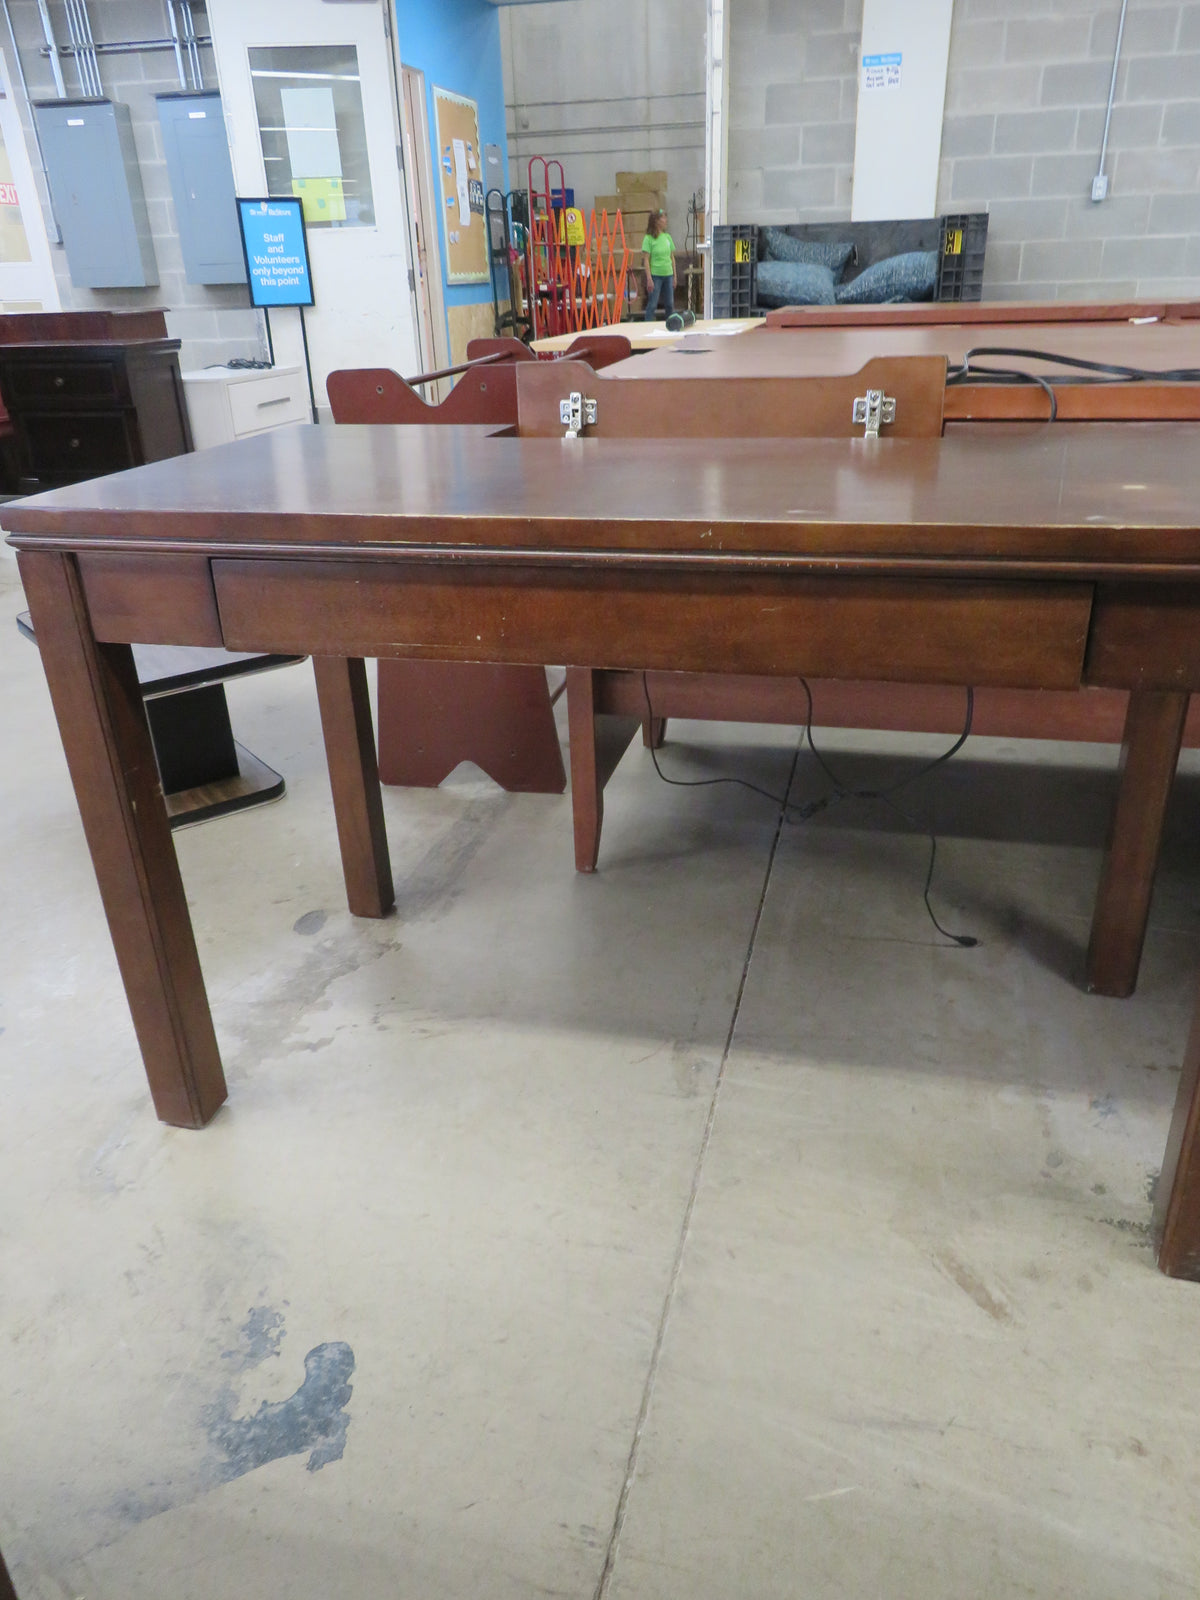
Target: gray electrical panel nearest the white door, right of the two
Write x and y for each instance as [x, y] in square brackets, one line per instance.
[202, 186]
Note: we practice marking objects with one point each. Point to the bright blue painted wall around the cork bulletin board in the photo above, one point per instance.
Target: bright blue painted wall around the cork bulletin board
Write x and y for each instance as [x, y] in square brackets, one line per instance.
[457, 46]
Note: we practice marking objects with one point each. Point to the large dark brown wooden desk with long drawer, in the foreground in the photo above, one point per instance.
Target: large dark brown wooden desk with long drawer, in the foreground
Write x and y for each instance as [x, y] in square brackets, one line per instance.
[1057, 559]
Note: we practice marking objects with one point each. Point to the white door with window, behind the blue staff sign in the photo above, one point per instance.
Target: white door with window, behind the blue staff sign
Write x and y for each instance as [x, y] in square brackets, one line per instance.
[311, 110]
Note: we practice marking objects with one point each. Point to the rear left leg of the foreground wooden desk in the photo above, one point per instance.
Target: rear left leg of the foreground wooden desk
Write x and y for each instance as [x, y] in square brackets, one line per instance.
[354, 778]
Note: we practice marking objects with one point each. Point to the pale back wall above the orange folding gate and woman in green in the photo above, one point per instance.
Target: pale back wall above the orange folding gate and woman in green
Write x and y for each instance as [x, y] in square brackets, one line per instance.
[609, 86]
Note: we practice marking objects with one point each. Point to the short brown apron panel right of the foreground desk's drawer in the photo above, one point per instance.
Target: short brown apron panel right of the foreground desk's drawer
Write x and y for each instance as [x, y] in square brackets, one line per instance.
[1146, 638]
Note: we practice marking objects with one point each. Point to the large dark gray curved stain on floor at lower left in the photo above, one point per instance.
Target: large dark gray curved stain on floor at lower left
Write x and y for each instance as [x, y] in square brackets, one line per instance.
[314, 1418]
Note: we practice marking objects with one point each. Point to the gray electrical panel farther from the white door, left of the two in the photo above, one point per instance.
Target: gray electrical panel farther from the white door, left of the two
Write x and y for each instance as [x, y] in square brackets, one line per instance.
[97, 190]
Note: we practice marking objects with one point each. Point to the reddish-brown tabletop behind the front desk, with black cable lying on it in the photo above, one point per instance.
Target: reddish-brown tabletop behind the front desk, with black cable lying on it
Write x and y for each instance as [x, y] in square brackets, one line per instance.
[830, 351]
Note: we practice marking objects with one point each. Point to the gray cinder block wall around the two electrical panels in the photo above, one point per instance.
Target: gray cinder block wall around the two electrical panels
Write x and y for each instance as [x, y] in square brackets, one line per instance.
[214, 322]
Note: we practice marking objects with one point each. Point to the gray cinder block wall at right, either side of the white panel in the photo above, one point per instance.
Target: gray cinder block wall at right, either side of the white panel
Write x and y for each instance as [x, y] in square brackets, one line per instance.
[1025, 116]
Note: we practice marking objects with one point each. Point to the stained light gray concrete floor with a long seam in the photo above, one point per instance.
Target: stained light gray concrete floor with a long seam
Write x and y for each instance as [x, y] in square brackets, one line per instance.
[703, 1230]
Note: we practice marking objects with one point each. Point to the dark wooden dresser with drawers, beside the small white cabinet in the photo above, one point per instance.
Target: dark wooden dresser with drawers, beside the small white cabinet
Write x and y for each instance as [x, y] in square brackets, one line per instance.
[90, 393]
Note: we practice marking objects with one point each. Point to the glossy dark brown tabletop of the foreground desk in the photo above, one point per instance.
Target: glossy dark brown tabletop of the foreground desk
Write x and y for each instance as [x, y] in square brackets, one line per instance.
[1097, 497]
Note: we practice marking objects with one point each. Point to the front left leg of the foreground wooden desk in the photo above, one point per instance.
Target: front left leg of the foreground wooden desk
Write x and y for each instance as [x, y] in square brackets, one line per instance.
[108, 745]
